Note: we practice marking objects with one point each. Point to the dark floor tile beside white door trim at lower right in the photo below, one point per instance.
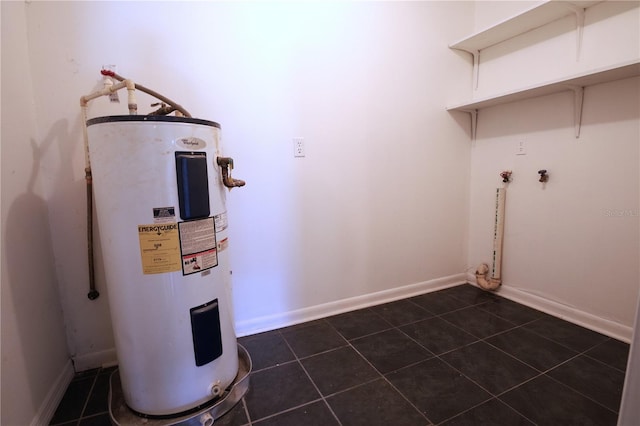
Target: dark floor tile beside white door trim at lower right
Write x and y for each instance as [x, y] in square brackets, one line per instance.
[593, 379]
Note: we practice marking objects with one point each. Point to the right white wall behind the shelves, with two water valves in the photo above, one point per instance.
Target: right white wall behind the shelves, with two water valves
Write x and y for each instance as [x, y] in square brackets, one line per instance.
[571, 246]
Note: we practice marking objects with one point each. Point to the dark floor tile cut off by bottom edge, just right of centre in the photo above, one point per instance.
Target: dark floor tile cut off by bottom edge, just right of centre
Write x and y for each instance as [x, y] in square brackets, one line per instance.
[374, 404]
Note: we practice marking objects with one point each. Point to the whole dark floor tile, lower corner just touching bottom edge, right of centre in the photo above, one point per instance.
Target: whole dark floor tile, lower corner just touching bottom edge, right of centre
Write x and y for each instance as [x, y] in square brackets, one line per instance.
[437, 390]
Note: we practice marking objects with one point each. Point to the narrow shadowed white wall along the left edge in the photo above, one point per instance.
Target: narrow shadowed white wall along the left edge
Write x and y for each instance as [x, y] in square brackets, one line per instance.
[34, 353]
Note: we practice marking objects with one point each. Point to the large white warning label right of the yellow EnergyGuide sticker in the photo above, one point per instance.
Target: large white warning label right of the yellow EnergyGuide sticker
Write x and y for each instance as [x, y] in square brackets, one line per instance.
[198, 245]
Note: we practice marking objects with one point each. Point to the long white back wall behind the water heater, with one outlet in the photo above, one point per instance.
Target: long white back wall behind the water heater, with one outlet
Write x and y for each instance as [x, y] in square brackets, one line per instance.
[379, 202]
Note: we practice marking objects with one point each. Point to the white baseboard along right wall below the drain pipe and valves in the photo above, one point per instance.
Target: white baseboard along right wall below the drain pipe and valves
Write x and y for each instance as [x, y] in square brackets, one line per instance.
[568, 313]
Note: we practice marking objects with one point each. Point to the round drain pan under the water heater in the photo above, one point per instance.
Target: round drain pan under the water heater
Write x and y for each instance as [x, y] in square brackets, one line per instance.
[121, 414]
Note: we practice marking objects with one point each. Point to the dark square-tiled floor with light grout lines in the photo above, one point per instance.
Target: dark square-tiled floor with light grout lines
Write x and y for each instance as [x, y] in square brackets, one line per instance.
[458, 356]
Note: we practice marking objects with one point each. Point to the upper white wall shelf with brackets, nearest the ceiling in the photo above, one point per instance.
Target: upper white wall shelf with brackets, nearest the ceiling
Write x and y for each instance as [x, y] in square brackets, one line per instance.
[521, 23]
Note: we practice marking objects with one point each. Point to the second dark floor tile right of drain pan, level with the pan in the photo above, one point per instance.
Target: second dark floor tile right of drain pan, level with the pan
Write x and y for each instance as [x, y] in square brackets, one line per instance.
[338, 370]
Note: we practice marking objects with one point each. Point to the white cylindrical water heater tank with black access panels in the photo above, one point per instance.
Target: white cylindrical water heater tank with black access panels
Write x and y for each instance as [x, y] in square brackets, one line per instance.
[162, 220]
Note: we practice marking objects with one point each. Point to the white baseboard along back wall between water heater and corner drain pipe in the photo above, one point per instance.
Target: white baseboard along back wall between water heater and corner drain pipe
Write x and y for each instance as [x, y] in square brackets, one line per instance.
[284, 319]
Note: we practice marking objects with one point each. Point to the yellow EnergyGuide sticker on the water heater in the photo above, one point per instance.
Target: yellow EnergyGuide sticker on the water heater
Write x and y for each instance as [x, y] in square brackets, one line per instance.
[159, 248]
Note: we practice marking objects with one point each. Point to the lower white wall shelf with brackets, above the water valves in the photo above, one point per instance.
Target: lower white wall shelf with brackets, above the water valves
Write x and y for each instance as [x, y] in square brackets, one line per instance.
[577, 83]
